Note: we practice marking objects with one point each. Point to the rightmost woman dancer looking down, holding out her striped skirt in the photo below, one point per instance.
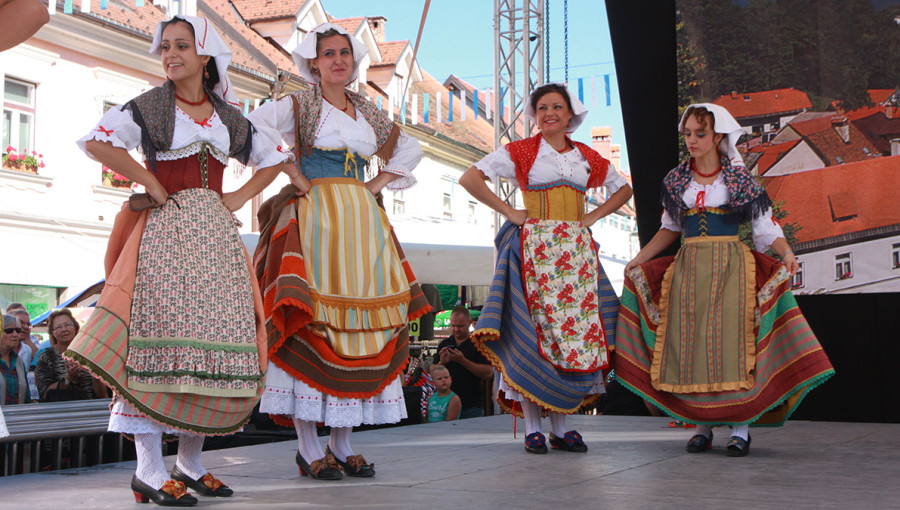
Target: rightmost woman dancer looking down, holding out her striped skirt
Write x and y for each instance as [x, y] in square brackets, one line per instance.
[713, 335]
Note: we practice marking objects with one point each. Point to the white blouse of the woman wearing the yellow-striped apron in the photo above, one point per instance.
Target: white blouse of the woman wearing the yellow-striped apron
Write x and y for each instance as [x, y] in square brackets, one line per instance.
[337, 130]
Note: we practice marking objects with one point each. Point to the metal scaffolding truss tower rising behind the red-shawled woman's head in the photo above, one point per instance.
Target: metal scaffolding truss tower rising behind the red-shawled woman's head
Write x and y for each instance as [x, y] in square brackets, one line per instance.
[518, 41]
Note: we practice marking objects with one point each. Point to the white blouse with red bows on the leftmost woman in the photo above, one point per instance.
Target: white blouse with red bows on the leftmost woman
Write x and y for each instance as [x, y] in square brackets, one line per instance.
[118, 127]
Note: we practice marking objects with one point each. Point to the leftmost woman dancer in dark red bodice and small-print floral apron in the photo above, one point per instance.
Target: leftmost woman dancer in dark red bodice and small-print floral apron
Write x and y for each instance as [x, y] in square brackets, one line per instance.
[177, 330]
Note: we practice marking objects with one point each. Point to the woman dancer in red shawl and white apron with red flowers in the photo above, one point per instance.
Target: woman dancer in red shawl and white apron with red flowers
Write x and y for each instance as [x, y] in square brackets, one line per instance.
[550, 319]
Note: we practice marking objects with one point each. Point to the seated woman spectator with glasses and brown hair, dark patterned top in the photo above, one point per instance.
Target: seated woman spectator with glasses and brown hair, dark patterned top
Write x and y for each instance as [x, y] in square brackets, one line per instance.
[57, 378]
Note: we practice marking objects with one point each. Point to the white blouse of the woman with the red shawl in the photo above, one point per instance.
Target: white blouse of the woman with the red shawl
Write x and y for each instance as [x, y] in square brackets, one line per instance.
[549, 166]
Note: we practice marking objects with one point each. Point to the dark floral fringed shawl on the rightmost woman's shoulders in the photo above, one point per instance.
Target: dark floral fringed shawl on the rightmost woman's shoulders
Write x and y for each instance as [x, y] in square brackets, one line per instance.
[748, 197]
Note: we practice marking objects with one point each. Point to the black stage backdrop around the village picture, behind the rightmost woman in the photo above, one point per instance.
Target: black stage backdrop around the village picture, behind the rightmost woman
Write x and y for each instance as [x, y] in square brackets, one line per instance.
[858, 331]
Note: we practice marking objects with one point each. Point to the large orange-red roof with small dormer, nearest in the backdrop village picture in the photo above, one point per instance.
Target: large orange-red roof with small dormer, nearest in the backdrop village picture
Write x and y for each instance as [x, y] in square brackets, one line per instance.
[840, 200]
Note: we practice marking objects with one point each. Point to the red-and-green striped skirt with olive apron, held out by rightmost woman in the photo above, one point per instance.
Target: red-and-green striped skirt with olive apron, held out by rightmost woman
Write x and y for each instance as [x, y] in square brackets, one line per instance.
[714, 336]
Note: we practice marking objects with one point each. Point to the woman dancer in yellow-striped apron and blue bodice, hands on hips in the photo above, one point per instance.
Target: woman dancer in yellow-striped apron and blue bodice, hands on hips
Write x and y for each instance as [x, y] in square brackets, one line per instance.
[338, 292]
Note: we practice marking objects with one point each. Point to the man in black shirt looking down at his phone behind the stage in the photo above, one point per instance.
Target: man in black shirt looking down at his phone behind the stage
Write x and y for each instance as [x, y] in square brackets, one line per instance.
[467, 366]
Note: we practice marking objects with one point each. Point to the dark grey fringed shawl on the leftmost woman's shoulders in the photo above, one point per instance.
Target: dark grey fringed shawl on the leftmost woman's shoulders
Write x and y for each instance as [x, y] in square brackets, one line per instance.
[154, 112]
